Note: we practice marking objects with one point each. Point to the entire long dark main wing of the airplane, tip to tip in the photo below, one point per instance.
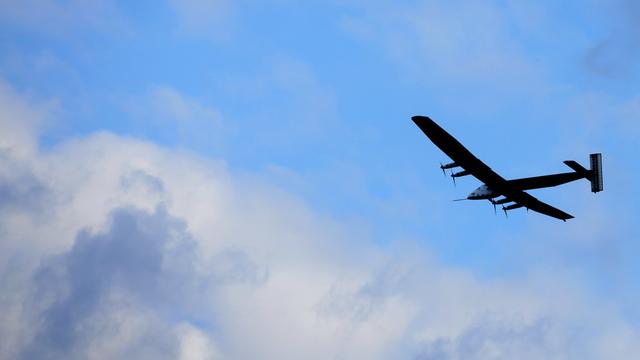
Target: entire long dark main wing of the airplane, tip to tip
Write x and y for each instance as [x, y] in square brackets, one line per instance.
[466, 160]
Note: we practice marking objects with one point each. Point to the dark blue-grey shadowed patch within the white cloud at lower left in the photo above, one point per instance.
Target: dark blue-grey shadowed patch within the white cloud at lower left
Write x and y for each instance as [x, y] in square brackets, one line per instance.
[143, 260]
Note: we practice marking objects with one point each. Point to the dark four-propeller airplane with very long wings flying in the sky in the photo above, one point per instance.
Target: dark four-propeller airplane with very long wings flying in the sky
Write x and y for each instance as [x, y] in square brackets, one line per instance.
[499, 191]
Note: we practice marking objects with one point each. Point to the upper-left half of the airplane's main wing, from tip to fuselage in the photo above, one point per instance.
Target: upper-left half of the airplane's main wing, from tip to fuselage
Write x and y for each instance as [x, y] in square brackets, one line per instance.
[458, 153]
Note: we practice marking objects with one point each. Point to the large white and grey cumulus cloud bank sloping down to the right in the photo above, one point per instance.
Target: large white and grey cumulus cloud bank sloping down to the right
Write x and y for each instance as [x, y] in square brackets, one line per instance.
[147, 252]
